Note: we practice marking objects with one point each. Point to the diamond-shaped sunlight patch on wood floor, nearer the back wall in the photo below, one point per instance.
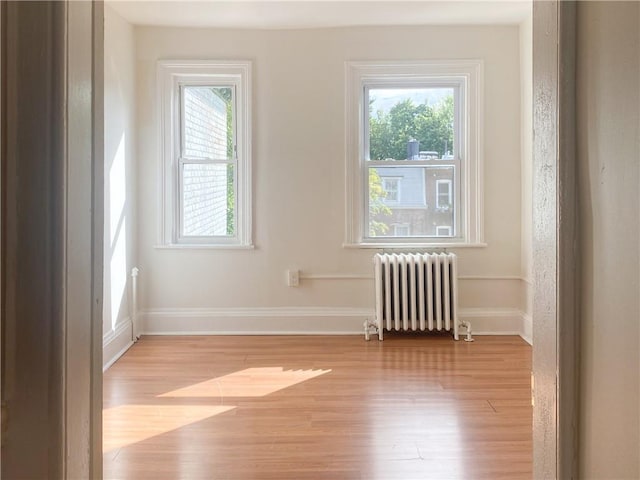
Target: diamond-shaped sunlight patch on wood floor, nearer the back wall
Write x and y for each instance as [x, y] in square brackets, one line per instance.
[251, 382]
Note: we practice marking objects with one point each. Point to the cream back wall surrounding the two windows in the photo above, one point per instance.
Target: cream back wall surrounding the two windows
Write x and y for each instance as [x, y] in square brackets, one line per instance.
[299, 165]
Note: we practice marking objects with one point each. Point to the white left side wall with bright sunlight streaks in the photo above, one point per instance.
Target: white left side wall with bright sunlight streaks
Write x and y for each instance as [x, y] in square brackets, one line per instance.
[120, 199]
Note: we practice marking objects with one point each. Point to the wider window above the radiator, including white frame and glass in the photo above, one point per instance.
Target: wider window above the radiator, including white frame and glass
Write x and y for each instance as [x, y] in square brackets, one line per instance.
[417, 121]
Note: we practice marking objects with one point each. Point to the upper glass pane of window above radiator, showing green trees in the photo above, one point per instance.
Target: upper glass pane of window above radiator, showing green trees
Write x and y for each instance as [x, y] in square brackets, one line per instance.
[411, 123]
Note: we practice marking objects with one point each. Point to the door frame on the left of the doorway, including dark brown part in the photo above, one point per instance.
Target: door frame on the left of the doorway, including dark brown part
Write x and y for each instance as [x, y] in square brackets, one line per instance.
[51, 158]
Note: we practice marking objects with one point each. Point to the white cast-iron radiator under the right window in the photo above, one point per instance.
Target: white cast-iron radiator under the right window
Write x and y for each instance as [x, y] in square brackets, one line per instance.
[416, 292]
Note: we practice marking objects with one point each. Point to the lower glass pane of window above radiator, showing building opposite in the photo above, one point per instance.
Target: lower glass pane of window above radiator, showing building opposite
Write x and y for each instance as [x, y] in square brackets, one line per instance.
[423, 205]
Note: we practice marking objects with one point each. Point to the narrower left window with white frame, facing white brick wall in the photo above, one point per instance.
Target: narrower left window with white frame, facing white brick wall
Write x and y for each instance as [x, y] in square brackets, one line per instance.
[206, 153]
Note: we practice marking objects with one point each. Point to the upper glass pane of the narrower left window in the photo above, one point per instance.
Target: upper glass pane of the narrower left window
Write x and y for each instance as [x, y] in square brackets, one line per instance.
[208, 122]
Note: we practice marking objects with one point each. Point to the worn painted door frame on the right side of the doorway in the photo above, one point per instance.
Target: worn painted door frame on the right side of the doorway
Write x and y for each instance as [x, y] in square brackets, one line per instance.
[555, 242]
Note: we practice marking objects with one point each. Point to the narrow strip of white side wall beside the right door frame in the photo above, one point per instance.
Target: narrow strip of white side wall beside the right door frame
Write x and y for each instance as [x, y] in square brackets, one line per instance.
[526, 149]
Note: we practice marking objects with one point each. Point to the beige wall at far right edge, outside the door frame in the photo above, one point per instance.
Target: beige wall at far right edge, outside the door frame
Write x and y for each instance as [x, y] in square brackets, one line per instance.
[608, 86]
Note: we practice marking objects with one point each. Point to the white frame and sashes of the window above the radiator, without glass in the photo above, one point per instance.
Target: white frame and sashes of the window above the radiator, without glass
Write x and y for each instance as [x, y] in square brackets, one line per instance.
[465, 76]
